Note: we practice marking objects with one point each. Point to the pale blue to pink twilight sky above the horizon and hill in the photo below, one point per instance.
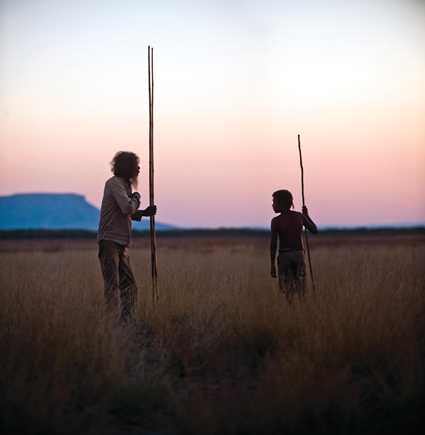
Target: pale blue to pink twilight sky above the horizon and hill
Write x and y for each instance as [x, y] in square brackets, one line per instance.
[235, 82]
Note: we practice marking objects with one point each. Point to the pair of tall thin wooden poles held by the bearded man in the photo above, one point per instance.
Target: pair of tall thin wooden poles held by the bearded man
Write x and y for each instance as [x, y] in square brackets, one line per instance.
[155, 293]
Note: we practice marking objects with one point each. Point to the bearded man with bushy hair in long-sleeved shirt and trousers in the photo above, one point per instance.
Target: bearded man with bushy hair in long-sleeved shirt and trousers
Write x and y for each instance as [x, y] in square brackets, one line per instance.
[119, 207]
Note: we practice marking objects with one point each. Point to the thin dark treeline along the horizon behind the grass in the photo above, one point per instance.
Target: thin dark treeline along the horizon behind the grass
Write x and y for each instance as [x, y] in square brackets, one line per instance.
[23, 234]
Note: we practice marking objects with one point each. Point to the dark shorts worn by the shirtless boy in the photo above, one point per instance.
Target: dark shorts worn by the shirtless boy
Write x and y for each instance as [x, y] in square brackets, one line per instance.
[291, 271]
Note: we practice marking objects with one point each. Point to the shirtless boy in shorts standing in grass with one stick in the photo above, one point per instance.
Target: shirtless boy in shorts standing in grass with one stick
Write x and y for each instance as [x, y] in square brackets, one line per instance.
[289, 225]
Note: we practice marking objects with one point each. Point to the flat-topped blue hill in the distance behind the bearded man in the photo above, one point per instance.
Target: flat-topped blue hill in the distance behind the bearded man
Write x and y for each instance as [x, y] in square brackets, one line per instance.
[55, 211]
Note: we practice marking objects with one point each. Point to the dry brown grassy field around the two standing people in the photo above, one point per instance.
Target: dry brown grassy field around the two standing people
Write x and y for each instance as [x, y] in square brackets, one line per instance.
[222, 352]
